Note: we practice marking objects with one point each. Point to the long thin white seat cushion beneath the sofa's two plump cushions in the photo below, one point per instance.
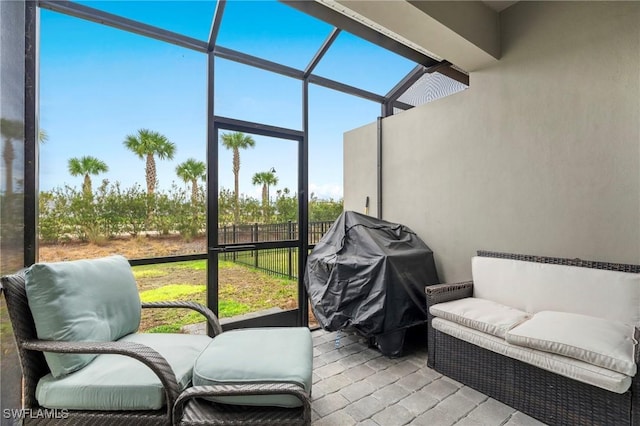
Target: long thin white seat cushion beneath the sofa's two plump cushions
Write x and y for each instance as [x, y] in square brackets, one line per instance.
[567, 367]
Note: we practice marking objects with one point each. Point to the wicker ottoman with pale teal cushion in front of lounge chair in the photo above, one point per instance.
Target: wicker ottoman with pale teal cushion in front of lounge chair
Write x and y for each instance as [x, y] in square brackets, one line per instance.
[251, 376]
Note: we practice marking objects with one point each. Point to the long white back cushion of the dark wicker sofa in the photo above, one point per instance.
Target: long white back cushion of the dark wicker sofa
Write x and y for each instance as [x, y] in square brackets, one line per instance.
[535, 287]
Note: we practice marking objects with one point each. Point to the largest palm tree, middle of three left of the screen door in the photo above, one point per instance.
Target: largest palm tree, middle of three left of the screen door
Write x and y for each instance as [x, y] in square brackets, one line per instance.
[147, 144]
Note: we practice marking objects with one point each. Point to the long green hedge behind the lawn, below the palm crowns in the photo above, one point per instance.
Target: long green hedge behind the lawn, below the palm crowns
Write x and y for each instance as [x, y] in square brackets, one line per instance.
[111, 210]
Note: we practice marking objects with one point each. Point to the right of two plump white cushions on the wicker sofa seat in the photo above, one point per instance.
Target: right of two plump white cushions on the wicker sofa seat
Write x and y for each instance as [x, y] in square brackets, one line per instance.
[605, 343]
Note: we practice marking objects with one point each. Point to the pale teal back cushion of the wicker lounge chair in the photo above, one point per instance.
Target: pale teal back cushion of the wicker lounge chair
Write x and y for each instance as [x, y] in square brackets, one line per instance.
[83, 300]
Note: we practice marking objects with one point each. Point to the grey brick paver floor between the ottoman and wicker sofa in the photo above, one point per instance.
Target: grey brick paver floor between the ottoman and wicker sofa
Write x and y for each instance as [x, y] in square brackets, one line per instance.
[356, 385]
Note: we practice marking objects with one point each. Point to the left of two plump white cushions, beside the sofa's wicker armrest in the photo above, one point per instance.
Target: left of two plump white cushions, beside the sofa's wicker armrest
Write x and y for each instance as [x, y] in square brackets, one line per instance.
[480, 314]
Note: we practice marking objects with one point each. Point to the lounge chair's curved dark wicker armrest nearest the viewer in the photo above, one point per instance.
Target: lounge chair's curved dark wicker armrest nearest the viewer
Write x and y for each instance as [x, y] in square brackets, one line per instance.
[148, 356]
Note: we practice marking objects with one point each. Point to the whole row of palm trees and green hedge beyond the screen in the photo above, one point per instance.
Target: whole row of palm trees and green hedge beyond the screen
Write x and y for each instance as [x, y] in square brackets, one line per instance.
[112, 210]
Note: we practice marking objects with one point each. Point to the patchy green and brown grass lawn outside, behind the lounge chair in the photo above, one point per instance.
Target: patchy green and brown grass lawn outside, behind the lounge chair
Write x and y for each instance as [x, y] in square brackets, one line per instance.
[241, 290]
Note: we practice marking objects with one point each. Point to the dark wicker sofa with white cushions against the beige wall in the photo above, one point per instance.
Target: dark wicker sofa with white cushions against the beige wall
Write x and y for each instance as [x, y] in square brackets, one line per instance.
[554, 338]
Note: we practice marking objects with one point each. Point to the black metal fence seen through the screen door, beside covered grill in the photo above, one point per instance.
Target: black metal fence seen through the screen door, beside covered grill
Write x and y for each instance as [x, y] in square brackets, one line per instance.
[279, 261]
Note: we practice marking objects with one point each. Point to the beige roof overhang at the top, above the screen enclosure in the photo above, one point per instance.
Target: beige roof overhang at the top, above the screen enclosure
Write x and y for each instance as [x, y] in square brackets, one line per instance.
[465, 33]
